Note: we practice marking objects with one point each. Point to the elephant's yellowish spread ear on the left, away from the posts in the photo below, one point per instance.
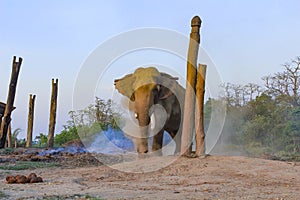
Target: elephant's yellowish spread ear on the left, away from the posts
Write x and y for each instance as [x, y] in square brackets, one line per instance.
[124, 86]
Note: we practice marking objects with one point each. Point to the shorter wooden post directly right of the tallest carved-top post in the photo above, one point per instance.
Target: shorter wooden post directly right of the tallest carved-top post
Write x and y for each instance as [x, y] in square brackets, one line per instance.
[200, 90]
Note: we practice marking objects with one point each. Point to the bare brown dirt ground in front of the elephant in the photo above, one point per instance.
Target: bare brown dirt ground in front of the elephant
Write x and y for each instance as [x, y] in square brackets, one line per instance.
[212, 177]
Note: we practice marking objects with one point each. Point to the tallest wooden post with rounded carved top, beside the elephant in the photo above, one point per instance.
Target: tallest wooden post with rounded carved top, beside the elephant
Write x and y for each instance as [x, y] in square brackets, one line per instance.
[189, 105]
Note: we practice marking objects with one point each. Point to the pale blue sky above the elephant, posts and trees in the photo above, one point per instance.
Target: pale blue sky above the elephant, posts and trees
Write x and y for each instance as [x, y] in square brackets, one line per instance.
[245, 40]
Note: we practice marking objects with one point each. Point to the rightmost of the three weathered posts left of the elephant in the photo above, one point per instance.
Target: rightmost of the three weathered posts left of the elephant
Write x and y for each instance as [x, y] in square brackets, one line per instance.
[52, 120]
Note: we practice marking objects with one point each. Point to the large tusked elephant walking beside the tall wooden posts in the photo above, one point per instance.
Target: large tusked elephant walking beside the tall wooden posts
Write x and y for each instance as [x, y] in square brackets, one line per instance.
[148, 88]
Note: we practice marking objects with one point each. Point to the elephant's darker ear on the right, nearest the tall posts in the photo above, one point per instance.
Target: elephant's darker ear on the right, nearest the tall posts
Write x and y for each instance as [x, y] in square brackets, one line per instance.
[168, 85]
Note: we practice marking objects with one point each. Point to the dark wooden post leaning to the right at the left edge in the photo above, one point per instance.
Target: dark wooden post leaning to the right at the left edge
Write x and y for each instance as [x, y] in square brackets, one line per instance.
[16, 66]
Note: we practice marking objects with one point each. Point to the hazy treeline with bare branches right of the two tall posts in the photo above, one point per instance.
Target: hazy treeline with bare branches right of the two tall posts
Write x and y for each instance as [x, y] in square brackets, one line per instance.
[263, 120]
